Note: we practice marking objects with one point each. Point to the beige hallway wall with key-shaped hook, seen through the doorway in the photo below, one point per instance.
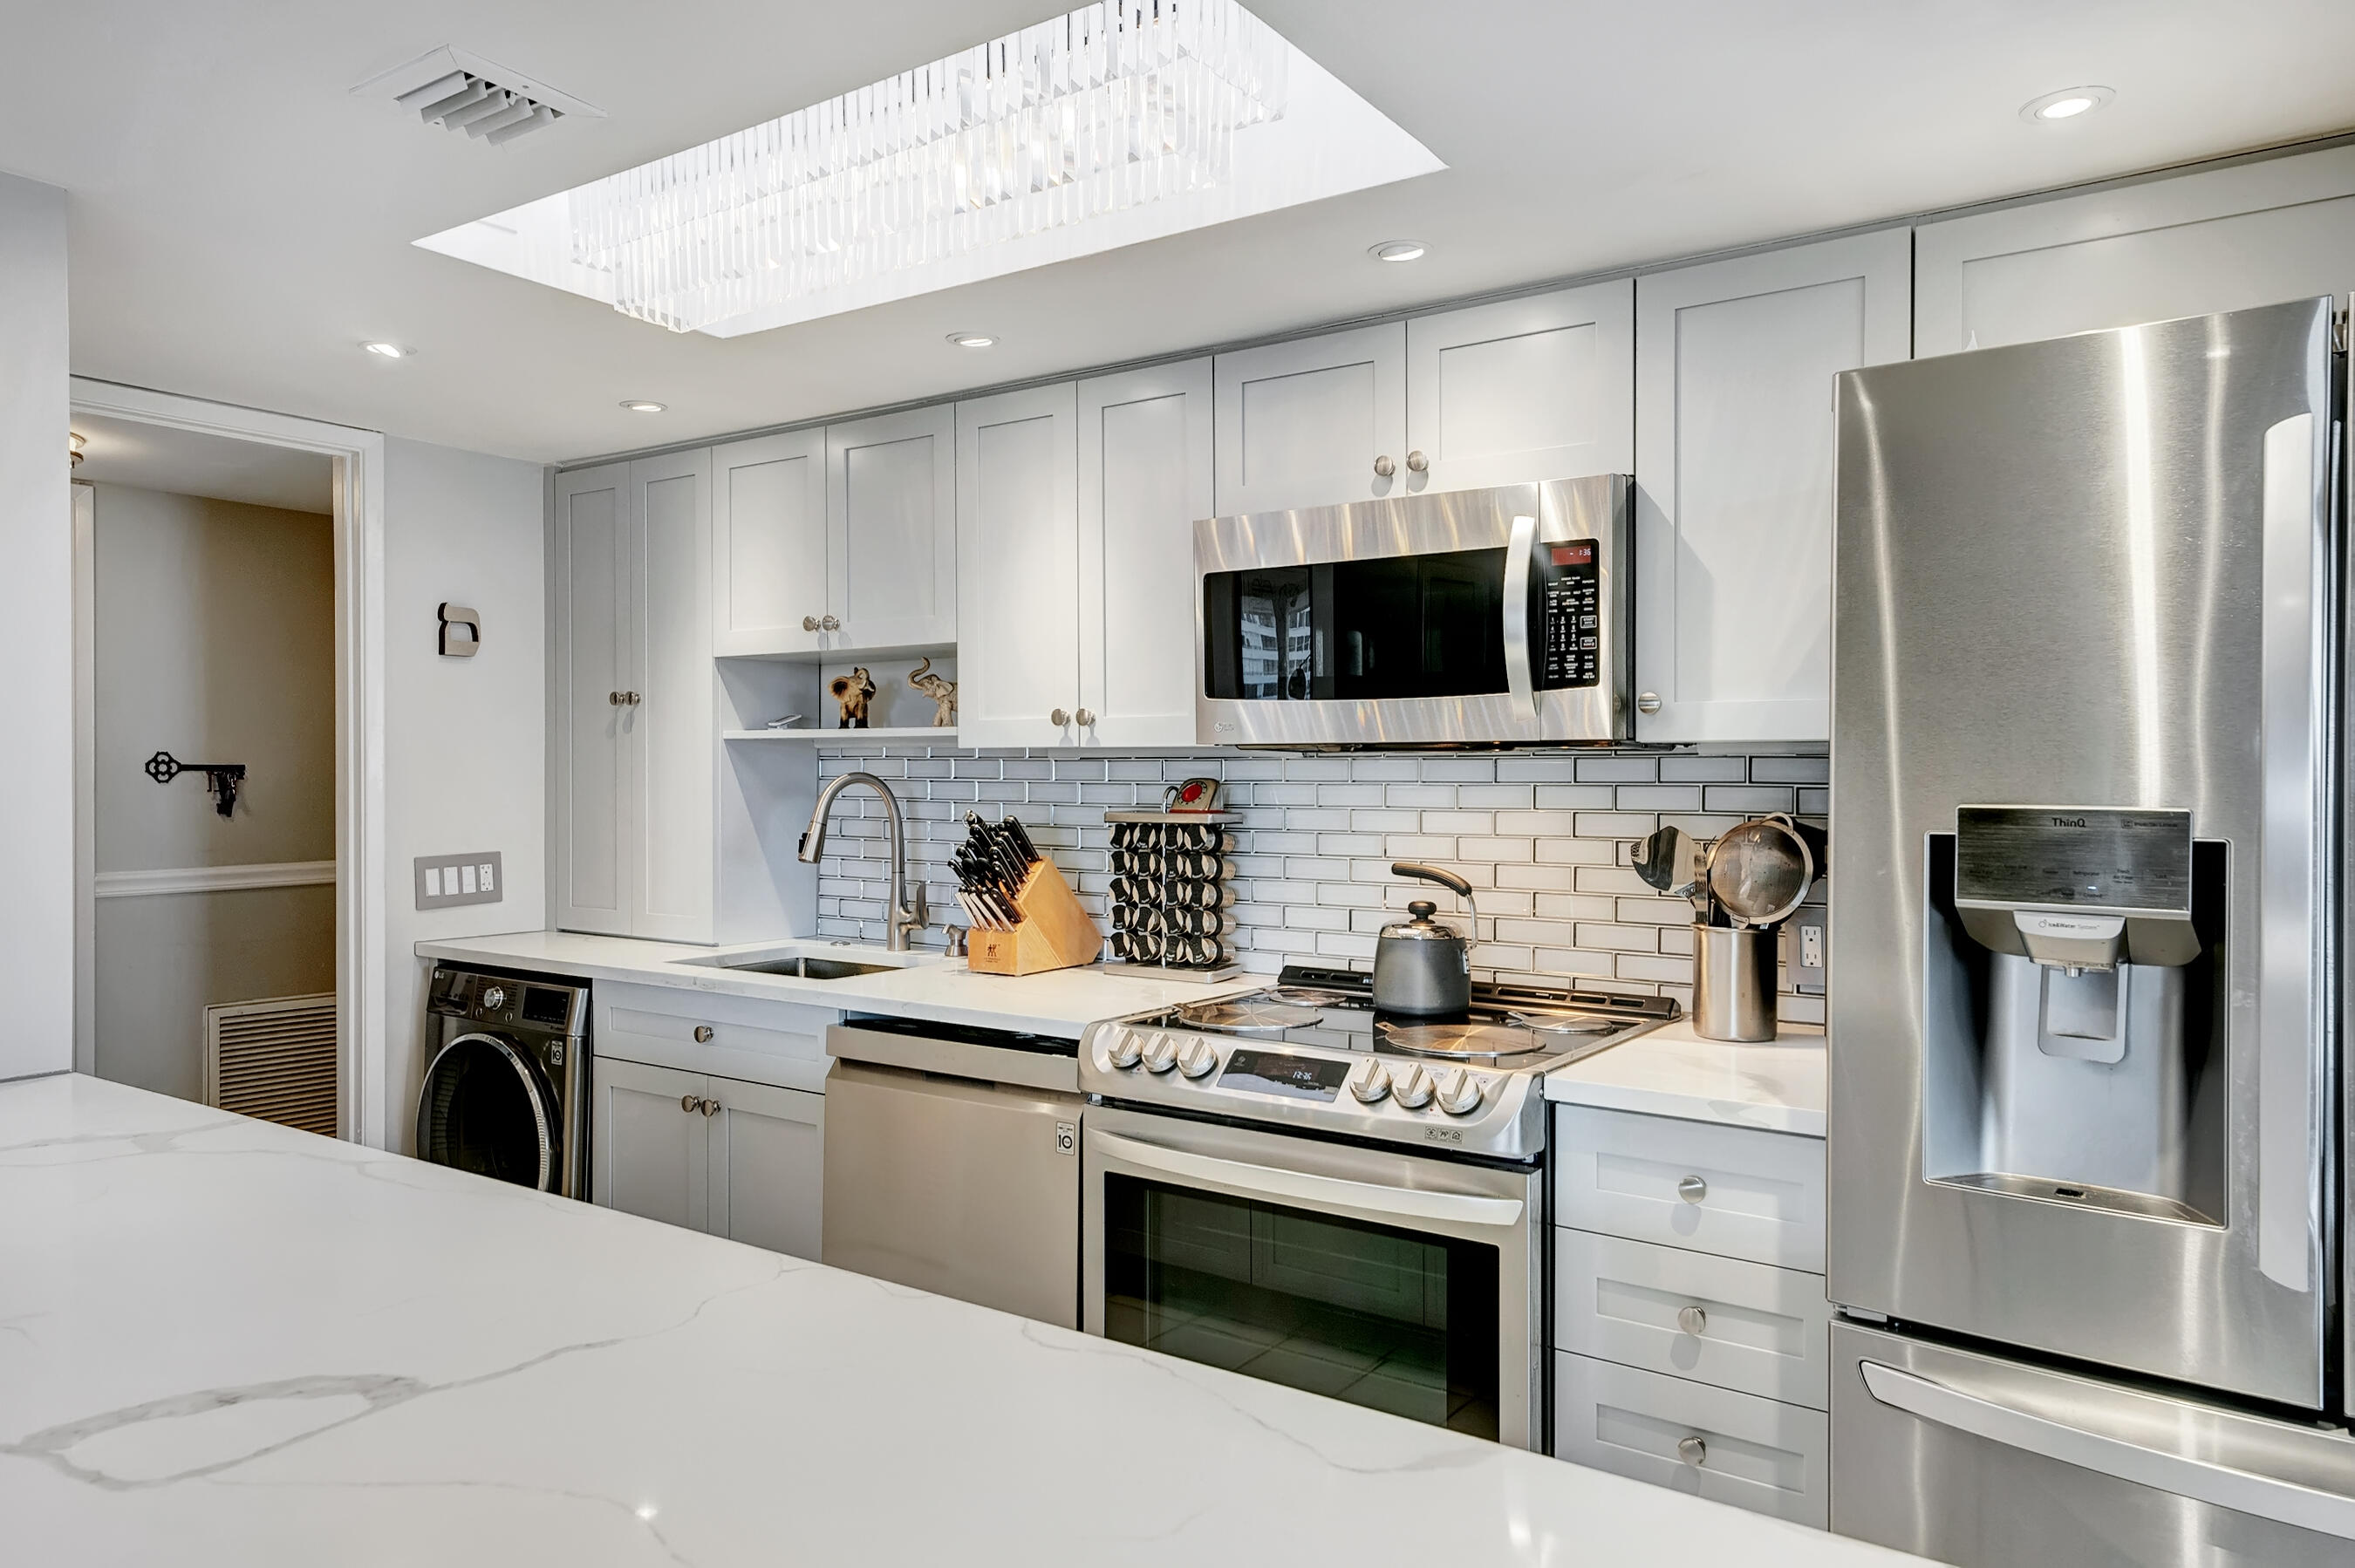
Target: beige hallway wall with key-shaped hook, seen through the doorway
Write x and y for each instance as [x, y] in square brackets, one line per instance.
[215, 642]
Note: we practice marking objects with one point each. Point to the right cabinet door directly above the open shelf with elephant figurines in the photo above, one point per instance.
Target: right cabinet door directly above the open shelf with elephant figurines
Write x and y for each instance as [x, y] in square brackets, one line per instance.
[891, 531]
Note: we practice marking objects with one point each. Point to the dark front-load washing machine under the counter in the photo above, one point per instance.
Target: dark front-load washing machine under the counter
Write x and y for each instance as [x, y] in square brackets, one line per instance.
[508, 1089]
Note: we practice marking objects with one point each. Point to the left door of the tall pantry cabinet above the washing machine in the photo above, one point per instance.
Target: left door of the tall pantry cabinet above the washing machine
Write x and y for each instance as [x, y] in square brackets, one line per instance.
[592, 788]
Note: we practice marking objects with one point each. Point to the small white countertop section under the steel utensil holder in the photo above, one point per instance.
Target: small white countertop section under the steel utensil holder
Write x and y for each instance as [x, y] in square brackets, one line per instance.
[1673, 1072]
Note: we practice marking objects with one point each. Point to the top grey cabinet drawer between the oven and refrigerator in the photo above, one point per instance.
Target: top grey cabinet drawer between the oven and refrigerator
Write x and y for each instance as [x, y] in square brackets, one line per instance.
[1692, 1185]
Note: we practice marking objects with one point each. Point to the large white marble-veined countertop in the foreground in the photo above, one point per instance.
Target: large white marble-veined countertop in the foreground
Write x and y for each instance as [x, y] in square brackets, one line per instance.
[227, 1343]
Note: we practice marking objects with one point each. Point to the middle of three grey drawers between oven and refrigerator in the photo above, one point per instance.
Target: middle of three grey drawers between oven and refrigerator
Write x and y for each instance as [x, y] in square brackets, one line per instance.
[1758, 1329]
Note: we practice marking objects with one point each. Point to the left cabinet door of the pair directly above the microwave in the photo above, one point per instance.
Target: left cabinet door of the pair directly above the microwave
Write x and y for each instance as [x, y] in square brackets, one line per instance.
[1308, 423]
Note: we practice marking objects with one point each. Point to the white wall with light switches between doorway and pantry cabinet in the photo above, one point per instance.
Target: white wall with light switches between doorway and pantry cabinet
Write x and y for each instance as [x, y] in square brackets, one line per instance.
[465, 740]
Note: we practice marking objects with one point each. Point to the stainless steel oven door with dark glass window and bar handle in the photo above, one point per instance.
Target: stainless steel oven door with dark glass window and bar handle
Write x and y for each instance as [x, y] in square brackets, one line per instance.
[1384, 1280]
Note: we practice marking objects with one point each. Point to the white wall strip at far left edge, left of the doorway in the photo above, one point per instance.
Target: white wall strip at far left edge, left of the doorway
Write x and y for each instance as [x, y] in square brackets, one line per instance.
[37, 637]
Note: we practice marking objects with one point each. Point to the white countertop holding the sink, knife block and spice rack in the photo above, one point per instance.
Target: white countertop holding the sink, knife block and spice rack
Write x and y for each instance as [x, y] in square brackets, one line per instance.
[941, 990]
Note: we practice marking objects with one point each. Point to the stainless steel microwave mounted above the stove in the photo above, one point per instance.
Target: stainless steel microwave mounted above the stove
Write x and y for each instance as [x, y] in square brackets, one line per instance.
[1471, 618]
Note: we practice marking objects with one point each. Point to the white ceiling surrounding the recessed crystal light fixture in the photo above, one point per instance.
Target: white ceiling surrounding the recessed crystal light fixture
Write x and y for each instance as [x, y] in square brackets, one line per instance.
[241, 222]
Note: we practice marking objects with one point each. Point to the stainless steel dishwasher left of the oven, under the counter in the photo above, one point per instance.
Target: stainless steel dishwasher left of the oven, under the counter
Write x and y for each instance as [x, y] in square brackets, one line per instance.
[953, 1162]
